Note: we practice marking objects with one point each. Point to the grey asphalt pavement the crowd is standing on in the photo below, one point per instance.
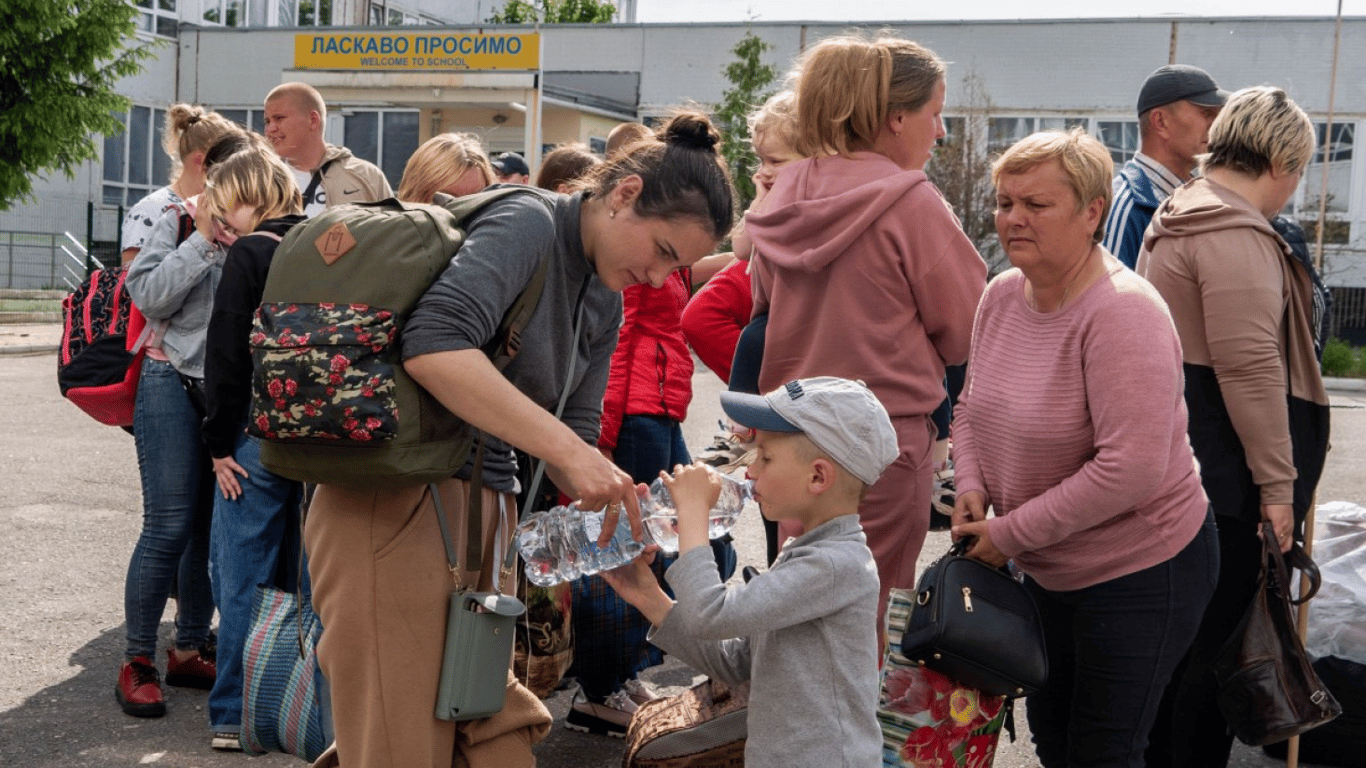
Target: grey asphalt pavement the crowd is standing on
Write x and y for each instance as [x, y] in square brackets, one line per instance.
[70, 513]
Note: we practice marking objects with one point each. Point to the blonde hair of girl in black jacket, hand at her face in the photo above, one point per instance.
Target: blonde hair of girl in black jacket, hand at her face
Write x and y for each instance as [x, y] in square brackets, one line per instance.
[252, 177]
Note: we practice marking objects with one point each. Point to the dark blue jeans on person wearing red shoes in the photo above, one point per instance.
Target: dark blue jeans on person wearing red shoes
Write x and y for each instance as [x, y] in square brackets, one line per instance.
[177, 510]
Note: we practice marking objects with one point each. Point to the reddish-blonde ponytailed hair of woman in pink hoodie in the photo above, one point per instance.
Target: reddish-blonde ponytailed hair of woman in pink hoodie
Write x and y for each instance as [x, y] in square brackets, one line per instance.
[849, 85]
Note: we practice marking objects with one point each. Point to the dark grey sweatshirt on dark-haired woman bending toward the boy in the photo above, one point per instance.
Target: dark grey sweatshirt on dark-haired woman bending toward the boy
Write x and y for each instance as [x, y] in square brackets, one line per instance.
[464, 308]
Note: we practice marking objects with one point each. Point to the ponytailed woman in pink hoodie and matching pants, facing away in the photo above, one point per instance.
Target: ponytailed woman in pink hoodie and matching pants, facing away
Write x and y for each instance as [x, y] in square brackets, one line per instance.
[863, 269]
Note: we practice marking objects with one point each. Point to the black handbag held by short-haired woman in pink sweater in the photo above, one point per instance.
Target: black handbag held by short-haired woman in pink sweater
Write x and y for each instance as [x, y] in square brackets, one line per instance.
[976, 625]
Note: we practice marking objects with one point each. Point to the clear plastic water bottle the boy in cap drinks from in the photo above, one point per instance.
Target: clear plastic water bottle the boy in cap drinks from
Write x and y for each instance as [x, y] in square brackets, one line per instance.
[561, 545]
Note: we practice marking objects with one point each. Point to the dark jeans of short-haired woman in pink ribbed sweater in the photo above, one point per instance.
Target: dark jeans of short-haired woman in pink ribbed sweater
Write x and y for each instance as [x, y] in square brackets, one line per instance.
[1111, 651]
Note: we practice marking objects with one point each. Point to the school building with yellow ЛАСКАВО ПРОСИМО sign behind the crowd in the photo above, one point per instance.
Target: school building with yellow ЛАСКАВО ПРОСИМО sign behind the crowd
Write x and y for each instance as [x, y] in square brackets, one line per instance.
[394, 74]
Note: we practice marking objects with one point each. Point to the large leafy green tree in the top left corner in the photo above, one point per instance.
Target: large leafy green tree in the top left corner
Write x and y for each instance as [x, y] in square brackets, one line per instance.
[59, 64]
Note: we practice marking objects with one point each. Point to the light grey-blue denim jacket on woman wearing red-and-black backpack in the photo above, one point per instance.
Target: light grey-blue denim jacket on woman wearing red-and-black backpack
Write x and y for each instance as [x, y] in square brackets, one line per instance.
[177, 284]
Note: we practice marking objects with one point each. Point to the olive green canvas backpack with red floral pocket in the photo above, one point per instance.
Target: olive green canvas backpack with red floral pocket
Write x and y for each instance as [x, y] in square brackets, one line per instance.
[331, 400]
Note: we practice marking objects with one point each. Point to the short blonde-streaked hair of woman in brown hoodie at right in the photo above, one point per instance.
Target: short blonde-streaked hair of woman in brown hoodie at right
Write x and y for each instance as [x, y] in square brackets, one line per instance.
[1260, 131]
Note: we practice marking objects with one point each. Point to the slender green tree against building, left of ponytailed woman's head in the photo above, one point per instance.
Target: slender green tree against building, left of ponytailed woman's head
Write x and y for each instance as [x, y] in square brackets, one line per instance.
[751, 80]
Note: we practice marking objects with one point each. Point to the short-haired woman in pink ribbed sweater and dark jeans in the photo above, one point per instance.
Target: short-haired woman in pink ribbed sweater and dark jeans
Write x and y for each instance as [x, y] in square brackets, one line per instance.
[1072, 428]
